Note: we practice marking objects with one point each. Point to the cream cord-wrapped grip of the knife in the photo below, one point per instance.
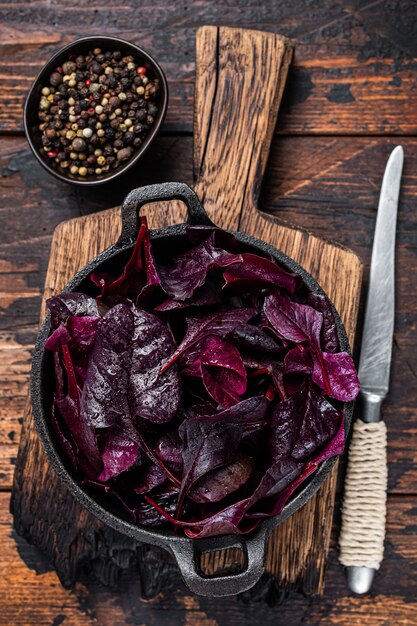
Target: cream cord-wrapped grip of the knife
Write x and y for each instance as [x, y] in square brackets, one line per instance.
[364, 505]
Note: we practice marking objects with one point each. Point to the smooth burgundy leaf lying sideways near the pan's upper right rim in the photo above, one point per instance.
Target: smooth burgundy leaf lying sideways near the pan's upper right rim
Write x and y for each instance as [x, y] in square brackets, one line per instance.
[257, 273]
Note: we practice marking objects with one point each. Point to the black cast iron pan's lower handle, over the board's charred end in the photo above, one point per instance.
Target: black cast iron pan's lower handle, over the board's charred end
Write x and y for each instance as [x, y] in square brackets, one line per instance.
[188, 555]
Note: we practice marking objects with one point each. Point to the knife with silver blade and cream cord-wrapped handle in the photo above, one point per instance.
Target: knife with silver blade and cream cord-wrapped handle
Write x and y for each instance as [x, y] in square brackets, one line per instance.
[364, 506]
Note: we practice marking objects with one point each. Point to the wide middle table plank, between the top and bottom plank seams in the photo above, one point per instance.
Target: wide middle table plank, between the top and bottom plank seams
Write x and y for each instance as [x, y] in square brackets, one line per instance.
[330, 186]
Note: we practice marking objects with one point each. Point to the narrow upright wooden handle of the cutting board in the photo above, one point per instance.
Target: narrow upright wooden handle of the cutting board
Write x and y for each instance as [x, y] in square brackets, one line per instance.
[240, 78]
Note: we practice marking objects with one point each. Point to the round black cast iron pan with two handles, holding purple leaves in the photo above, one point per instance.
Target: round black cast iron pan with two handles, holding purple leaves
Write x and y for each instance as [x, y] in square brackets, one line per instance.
[187, 552]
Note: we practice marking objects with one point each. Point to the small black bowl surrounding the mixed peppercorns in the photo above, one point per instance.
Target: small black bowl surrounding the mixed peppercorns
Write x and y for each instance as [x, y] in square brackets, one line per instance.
[82, 46]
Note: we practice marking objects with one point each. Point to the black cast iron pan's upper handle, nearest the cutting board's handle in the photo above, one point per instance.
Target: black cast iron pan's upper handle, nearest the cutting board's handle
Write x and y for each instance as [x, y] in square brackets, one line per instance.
[137, 198]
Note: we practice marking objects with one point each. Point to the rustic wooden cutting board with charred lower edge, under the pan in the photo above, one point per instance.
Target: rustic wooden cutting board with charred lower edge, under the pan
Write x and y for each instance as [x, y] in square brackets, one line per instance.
[240, 77]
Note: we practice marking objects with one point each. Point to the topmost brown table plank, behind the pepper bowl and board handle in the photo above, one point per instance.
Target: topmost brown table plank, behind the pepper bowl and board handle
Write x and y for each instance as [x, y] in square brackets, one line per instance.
[353, 72]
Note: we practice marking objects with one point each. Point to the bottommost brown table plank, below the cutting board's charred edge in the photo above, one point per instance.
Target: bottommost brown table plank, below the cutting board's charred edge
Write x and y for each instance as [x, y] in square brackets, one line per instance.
[33, 596]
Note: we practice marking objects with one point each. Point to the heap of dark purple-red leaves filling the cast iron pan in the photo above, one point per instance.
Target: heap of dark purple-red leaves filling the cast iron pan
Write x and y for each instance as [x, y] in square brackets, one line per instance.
[198, 393]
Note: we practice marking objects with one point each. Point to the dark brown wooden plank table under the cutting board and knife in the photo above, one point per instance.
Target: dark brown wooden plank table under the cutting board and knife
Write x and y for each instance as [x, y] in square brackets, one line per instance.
[351, 97]
